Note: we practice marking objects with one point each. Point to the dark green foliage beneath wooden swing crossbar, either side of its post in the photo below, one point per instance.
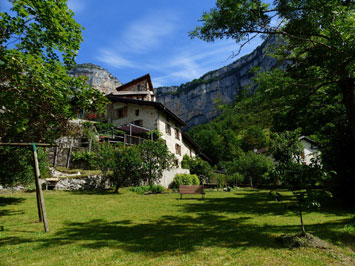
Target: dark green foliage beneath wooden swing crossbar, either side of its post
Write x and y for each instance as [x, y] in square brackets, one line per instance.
[21, 172]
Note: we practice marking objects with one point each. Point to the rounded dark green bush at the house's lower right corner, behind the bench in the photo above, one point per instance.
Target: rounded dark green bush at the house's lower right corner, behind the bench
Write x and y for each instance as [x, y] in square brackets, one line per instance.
[198, 167]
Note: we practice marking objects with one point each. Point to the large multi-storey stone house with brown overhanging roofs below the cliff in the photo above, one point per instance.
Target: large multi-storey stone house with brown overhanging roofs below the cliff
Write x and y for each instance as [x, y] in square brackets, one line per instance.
[133, 109]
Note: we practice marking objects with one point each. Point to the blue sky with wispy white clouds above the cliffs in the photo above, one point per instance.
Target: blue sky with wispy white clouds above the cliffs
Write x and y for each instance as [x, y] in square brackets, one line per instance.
[136, 37]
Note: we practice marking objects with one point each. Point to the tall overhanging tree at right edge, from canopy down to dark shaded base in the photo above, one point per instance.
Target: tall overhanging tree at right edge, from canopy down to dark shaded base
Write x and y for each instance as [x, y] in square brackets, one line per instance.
[314, 88]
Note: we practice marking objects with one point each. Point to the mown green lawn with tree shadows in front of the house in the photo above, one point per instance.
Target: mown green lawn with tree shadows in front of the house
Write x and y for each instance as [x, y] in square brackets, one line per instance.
[235, 228]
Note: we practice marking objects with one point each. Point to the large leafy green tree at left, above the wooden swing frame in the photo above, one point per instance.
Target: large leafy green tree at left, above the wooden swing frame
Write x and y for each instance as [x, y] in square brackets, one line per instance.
[39, 40]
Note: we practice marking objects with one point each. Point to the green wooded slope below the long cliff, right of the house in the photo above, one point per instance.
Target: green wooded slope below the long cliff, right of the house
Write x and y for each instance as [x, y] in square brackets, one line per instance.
[225, 137]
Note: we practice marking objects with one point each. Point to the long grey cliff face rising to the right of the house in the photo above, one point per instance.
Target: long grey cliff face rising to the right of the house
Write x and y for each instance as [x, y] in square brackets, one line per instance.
[195, 101]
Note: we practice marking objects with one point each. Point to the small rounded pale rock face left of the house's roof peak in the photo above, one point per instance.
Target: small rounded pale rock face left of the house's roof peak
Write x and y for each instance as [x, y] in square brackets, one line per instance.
[98, 77]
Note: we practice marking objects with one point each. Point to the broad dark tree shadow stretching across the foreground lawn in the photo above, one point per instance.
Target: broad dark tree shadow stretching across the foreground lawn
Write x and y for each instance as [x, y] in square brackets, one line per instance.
[182, 234]
